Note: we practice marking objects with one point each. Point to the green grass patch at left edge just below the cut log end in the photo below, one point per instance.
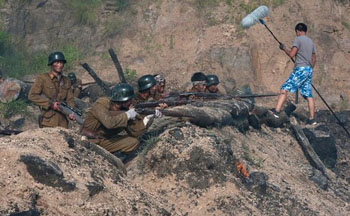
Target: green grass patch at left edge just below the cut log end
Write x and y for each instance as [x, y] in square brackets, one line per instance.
[7, 110]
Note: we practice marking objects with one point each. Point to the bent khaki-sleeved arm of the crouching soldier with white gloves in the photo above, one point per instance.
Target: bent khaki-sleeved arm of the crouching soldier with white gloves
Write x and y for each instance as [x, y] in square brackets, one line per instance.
[108, 120]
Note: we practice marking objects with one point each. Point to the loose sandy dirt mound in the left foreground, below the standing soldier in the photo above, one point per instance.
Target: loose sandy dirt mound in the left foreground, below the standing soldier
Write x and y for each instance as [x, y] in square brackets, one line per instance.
[52, 172]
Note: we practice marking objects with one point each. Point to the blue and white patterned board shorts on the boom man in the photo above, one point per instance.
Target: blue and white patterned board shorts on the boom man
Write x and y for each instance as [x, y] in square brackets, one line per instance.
[300, 78]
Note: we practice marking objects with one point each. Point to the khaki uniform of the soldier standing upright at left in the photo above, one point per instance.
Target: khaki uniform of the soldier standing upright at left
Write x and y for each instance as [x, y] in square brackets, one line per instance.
[47, 89]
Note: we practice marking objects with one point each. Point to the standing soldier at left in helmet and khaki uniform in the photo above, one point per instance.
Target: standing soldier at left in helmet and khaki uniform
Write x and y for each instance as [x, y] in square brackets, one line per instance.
[49, 90]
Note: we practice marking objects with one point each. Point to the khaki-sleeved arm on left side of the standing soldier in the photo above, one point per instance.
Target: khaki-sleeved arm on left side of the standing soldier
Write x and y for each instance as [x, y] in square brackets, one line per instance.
[35, 94]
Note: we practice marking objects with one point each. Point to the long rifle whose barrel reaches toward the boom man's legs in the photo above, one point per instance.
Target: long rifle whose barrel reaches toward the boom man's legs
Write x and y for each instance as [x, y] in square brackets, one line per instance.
[216, 95]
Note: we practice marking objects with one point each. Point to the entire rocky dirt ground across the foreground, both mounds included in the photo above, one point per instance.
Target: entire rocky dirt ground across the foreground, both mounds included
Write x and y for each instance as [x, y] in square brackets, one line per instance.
[183, 169]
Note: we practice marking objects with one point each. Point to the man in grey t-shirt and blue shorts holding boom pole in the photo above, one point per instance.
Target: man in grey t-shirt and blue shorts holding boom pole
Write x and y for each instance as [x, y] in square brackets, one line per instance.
[303, 50]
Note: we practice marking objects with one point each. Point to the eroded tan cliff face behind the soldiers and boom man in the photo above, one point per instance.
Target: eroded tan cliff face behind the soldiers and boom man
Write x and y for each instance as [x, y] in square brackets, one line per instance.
[179, 38]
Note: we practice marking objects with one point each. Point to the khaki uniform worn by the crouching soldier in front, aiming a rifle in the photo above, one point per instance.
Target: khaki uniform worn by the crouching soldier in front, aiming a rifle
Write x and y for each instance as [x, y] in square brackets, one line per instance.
[112, 129]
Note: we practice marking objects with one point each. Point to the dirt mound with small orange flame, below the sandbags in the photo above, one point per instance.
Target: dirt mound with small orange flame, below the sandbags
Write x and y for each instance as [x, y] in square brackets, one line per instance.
[195, 170]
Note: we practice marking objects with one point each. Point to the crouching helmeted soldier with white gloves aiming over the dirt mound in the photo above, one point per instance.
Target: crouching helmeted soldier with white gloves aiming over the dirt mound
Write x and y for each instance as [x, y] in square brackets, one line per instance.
[111, 123]
